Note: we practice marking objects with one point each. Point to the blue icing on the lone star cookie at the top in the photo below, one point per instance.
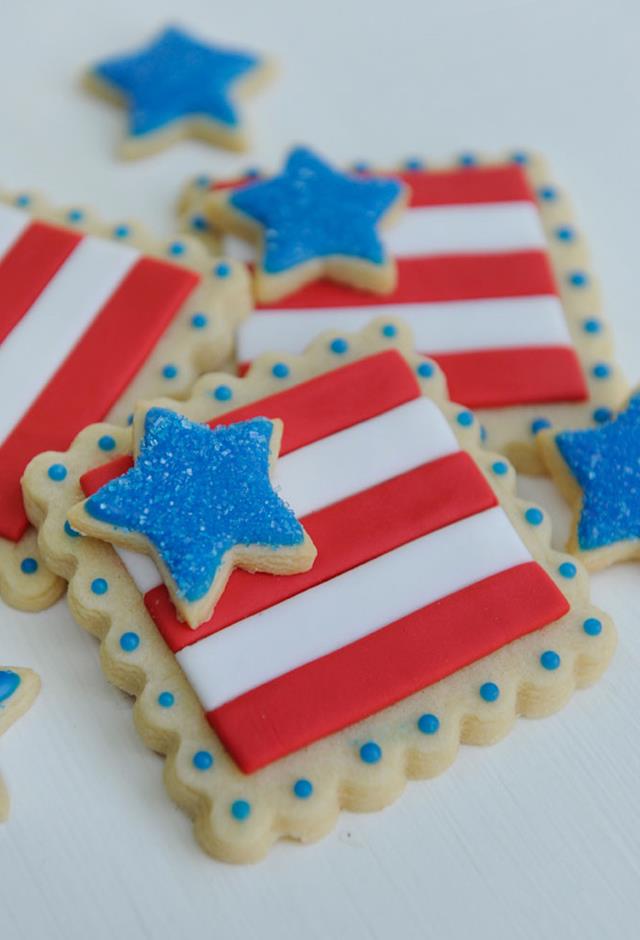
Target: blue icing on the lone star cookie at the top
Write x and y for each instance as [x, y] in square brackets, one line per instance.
[176, 76]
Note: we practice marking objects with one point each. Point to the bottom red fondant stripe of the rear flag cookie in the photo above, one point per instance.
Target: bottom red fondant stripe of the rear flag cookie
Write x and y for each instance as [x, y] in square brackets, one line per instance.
[494, 378]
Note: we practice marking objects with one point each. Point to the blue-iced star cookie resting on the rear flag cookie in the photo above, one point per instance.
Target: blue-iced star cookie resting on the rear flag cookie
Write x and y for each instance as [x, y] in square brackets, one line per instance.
[312, 221]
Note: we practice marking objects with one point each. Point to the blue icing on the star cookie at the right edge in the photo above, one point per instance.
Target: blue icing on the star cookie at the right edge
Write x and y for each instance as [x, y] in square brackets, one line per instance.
[605, 461]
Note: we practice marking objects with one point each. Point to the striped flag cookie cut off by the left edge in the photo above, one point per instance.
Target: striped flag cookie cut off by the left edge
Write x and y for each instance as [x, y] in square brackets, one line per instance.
[91, 318]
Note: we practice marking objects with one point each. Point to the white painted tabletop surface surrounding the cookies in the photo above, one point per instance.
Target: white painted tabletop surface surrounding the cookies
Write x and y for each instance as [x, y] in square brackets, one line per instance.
[536, 837]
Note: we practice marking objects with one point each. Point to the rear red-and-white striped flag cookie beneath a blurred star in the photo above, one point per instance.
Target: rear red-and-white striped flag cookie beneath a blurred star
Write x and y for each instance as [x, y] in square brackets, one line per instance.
[495, 281]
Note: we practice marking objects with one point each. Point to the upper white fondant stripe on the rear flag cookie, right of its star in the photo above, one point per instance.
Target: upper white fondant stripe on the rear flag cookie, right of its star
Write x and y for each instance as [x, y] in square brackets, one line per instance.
[466, 229]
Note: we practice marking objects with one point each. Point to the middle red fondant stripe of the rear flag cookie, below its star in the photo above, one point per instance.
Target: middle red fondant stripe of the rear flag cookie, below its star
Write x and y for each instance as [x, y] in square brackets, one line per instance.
[433, 279]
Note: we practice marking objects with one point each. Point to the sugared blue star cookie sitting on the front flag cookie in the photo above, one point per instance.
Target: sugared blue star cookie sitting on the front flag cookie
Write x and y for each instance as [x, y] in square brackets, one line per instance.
[201, 502]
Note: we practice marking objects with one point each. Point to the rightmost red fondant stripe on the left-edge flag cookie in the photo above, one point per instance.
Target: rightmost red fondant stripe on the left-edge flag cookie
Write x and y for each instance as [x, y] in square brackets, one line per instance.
[93, 376]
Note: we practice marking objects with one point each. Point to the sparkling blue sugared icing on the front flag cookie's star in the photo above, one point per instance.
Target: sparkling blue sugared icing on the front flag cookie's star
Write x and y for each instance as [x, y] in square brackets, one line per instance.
[195, 493]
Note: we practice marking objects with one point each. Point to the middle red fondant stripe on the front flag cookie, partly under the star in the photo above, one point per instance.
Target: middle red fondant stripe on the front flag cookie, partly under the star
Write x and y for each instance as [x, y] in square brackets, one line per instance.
[430, 497]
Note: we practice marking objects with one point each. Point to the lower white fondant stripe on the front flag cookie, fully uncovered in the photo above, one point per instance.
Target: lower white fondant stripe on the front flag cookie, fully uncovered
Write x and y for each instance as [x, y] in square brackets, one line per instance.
[350, 606]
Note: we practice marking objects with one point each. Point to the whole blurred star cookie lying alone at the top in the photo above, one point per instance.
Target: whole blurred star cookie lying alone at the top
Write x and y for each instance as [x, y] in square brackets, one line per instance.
[178, 86]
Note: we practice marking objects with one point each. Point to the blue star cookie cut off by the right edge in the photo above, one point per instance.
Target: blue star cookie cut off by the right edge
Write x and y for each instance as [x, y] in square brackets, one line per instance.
[598, 470]
